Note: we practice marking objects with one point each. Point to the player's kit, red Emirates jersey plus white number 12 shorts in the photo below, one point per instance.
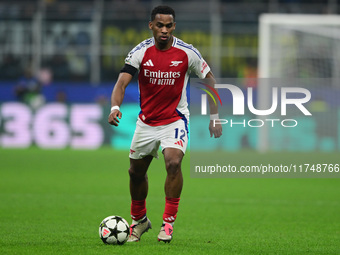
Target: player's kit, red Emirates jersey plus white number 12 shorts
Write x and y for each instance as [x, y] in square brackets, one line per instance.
[162, 81]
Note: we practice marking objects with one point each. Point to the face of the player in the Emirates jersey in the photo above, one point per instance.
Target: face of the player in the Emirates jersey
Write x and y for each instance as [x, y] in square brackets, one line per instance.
[162, 27]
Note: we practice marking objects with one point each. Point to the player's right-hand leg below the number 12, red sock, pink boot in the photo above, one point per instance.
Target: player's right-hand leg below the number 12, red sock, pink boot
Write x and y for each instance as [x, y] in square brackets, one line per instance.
[173, 188]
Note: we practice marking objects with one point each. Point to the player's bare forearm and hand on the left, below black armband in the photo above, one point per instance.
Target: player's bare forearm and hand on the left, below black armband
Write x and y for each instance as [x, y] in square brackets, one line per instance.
[117, 97]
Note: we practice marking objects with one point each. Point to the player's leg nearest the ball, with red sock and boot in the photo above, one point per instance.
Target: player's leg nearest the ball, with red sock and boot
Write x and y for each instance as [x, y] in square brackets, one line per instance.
[139, 190]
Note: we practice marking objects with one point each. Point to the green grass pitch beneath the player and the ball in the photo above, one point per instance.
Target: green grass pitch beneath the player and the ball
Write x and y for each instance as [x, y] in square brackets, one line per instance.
[51, 202]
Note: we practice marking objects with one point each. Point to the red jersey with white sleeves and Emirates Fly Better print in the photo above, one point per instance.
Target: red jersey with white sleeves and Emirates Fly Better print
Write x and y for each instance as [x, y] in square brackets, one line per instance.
[162, 79]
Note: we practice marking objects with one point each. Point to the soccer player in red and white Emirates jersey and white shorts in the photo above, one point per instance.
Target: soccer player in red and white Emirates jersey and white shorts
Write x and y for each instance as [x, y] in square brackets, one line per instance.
[163, 63]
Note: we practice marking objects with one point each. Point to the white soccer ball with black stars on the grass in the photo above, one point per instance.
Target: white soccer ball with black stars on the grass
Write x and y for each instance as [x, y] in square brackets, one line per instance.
[114, 230]
